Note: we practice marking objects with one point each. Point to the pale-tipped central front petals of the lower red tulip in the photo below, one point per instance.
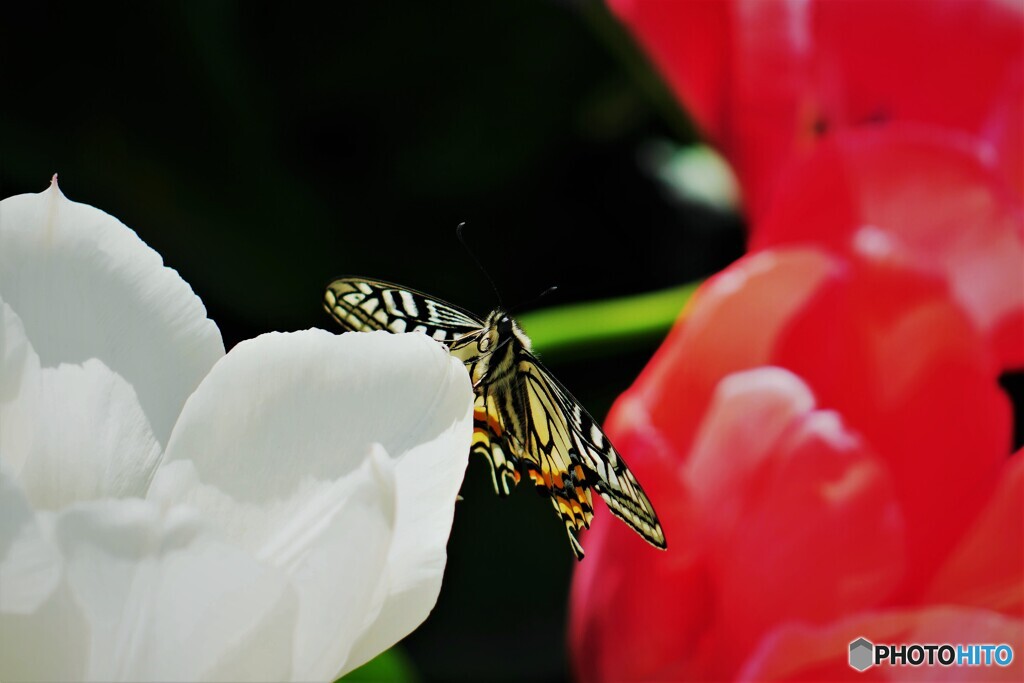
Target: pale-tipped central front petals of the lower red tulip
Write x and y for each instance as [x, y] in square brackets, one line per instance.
[814, 516]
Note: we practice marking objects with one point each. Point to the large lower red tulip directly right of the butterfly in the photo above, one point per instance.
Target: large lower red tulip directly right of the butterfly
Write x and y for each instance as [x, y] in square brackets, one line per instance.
[827, 445]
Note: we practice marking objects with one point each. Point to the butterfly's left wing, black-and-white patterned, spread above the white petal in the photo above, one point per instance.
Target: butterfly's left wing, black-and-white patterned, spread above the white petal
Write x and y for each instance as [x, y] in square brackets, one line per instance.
[362, 306]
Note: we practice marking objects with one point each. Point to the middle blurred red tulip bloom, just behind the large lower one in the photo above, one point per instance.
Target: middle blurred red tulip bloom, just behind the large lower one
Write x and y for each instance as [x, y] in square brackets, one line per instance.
[922, 198]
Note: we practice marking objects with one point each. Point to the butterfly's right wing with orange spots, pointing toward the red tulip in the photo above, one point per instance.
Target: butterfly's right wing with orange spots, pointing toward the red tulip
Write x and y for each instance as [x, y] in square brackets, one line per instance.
[571, 455]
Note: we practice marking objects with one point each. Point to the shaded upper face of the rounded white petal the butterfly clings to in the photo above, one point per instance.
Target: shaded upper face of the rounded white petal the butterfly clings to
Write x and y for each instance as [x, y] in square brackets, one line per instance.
[284, 407]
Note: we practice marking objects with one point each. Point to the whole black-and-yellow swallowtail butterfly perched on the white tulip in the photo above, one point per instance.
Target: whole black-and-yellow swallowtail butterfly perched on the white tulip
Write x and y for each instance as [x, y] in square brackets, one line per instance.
[525, 421]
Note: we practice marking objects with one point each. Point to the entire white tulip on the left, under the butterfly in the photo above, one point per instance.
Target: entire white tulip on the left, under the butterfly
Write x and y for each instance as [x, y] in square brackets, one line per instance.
[172, 513]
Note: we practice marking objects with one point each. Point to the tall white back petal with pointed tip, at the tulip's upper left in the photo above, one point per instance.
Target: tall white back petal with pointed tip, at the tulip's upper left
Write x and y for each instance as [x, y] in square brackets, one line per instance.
[87, 286]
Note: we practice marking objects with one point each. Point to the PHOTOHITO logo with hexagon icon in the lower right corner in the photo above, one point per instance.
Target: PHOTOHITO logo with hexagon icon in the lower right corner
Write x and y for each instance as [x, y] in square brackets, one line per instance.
[865, 655]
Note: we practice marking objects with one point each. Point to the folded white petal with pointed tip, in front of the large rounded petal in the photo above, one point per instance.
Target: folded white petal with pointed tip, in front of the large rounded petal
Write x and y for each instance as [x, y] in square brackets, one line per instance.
[331, 538]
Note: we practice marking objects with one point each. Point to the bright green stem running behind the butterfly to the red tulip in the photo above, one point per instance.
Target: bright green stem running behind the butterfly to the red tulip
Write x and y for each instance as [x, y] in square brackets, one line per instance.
[596, 327]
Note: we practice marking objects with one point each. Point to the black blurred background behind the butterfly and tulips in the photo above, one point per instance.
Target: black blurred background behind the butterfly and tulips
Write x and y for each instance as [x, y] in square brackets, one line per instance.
[265, 150]
